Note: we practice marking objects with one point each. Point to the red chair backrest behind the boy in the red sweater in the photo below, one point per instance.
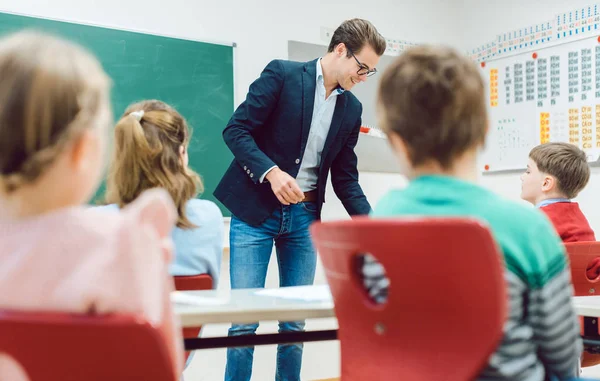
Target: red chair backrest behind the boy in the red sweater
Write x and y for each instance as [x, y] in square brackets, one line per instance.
[581, 254]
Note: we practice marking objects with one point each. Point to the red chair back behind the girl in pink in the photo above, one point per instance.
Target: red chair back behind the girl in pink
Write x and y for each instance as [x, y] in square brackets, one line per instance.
[70, 347]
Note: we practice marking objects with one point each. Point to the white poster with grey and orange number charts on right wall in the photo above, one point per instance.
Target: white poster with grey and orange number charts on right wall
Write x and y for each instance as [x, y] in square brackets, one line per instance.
[548, 95]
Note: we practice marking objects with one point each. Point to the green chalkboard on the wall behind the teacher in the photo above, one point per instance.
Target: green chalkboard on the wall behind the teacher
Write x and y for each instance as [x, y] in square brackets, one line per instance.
[194, 77]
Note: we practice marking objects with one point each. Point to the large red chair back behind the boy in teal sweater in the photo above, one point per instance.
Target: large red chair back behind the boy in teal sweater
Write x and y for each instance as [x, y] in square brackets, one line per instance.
[446, 305]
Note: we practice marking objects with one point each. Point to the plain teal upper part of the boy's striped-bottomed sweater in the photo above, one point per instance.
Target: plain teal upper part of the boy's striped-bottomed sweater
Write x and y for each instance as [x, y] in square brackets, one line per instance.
[532, 249]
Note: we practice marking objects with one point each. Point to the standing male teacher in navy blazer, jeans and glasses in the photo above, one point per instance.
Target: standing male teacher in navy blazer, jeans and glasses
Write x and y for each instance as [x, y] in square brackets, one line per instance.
[298, 122]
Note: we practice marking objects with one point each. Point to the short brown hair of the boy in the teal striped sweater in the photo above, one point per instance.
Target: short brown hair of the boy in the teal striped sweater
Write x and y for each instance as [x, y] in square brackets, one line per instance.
[433, 98]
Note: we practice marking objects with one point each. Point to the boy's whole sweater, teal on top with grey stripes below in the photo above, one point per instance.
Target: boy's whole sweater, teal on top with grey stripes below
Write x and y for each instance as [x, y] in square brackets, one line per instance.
[541, 334]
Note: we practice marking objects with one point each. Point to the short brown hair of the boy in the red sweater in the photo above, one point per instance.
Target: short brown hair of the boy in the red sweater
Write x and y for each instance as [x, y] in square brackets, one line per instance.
[565, 162]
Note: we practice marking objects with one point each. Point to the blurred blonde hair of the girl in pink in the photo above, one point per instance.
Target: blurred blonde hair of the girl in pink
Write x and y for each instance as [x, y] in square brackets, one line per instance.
[50, 90]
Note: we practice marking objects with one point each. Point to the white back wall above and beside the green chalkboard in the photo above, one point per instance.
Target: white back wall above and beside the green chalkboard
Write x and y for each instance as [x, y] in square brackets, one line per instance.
[261, 29]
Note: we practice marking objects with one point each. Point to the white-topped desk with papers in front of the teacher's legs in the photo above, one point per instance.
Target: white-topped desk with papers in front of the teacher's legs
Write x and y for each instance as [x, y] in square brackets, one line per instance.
[196, 308]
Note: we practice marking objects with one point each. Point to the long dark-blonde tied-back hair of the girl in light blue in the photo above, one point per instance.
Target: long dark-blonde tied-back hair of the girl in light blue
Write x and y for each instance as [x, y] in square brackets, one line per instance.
[147, 155]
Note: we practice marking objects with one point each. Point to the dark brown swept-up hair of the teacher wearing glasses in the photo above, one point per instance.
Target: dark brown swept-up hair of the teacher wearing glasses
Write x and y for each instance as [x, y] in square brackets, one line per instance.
[355, 34]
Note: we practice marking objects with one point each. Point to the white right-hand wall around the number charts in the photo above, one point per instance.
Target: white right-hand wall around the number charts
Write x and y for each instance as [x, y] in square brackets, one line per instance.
[485, 22]
